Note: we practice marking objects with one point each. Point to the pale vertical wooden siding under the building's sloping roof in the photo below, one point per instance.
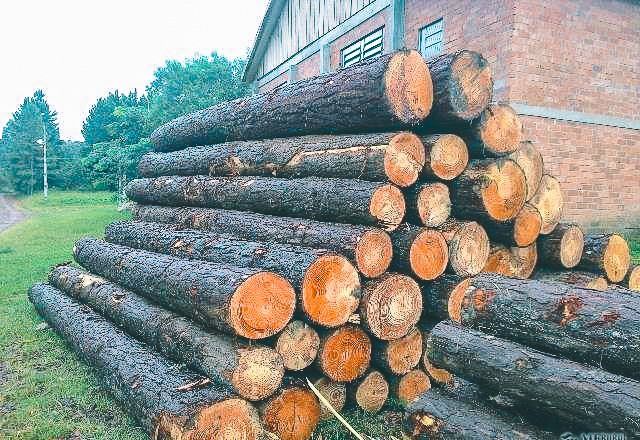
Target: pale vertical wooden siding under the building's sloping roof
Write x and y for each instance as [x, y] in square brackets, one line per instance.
[301, 23]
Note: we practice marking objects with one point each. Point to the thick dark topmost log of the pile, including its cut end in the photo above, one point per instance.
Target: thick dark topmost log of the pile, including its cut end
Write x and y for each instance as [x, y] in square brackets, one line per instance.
[388, 92]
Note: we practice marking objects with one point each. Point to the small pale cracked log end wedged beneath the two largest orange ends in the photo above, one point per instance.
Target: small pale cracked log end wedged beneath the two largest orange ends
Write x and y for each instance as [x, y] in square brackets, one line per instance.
[298, 345]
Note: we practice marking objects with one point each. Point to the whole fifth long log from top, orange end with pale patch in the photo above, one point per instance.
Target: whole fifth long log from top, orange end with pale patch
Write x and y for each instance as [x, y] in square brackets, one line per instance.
[328, 283]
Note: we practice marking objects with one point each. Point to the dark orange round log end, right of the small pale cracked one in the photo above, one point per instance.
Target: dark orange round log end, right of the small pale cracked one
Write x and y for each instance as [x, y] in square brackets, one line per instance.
[344, 354]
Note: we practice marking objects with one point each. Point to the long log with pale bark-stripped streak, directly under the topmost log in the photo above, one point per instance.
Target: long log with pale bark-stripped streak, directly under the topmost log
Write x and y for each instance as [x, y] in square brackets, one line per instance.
[394, 157]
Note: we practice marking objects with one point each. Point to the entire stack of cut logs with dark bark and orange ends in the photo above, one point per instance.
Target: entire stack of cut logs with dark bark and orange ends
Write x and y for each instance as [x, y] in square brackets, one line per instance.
[381, 232]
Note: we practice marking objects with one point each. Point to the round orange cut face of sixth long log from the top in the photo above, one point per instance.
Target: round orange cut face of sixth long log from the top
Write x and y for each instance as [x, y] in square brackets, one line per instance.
[262, 306]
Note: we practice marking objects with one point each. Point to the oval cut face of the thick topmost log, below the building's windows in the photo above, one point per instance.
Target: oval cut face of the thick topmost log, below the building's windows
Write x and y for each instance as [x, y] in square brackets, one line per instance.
[408, 87]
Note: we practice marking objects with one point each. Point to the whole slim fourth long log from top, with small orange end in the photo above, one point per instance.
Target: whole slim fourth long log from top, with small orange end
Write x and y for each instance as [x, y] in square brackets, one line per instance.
[369, 248]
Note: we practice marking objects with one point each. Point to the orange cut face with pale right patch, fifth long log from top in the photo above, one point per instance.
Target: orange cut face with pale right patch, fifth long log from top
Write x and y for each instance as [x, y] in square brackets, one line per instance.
[330, 290]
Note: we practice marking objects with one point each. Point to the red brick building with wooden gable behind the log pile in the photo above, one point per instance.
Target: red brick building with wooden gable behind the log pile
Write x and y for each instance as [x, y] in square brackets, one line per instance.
[570, 68]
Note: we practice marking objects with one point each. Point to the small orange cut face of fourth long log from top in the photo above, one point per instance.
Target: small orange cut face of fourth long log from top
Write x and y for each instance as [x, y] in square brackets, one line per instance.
[373, 253]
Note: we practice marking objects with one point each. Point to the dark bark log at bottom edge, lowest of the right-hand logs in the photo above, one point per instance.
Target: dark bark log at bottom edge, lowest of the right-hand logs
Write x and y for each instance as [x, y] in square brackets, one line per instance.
[439, 416]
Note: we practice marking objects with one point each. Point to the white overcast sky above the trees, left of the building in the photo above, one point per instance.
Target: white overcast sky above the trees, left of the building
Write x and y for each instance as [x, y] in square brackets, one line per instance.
[77, 51]
